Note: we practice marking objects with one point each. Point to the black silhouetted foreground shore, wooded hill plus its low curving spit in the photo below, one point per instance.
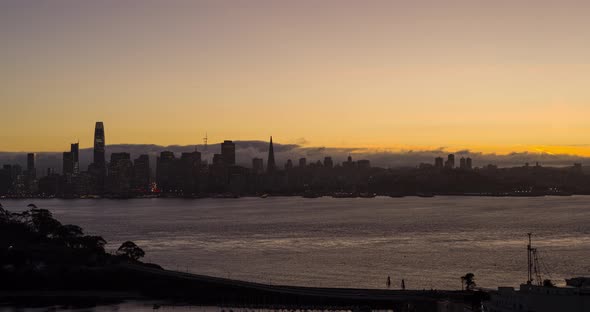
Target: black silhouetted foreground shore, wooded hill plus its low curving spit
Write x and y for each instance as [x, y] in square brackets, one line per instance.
[45, 262]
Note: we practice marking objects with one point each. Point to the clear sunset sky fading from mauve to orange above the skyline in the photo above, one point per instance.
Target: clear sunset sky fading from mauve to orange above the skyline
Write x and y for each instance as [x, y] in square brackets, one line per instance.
[492, 76]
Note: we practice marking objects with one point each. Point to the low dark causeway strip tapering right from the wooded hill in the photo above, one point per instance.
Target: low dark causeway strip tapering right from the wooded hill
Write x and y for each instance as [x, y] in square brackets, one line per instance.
[200, 289]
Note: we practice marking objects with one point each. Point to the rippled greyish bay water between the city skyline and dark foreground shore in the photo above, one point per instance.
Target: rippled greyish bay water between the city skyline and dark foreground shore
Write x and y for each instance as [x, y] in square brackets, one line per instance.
[429, 242]
